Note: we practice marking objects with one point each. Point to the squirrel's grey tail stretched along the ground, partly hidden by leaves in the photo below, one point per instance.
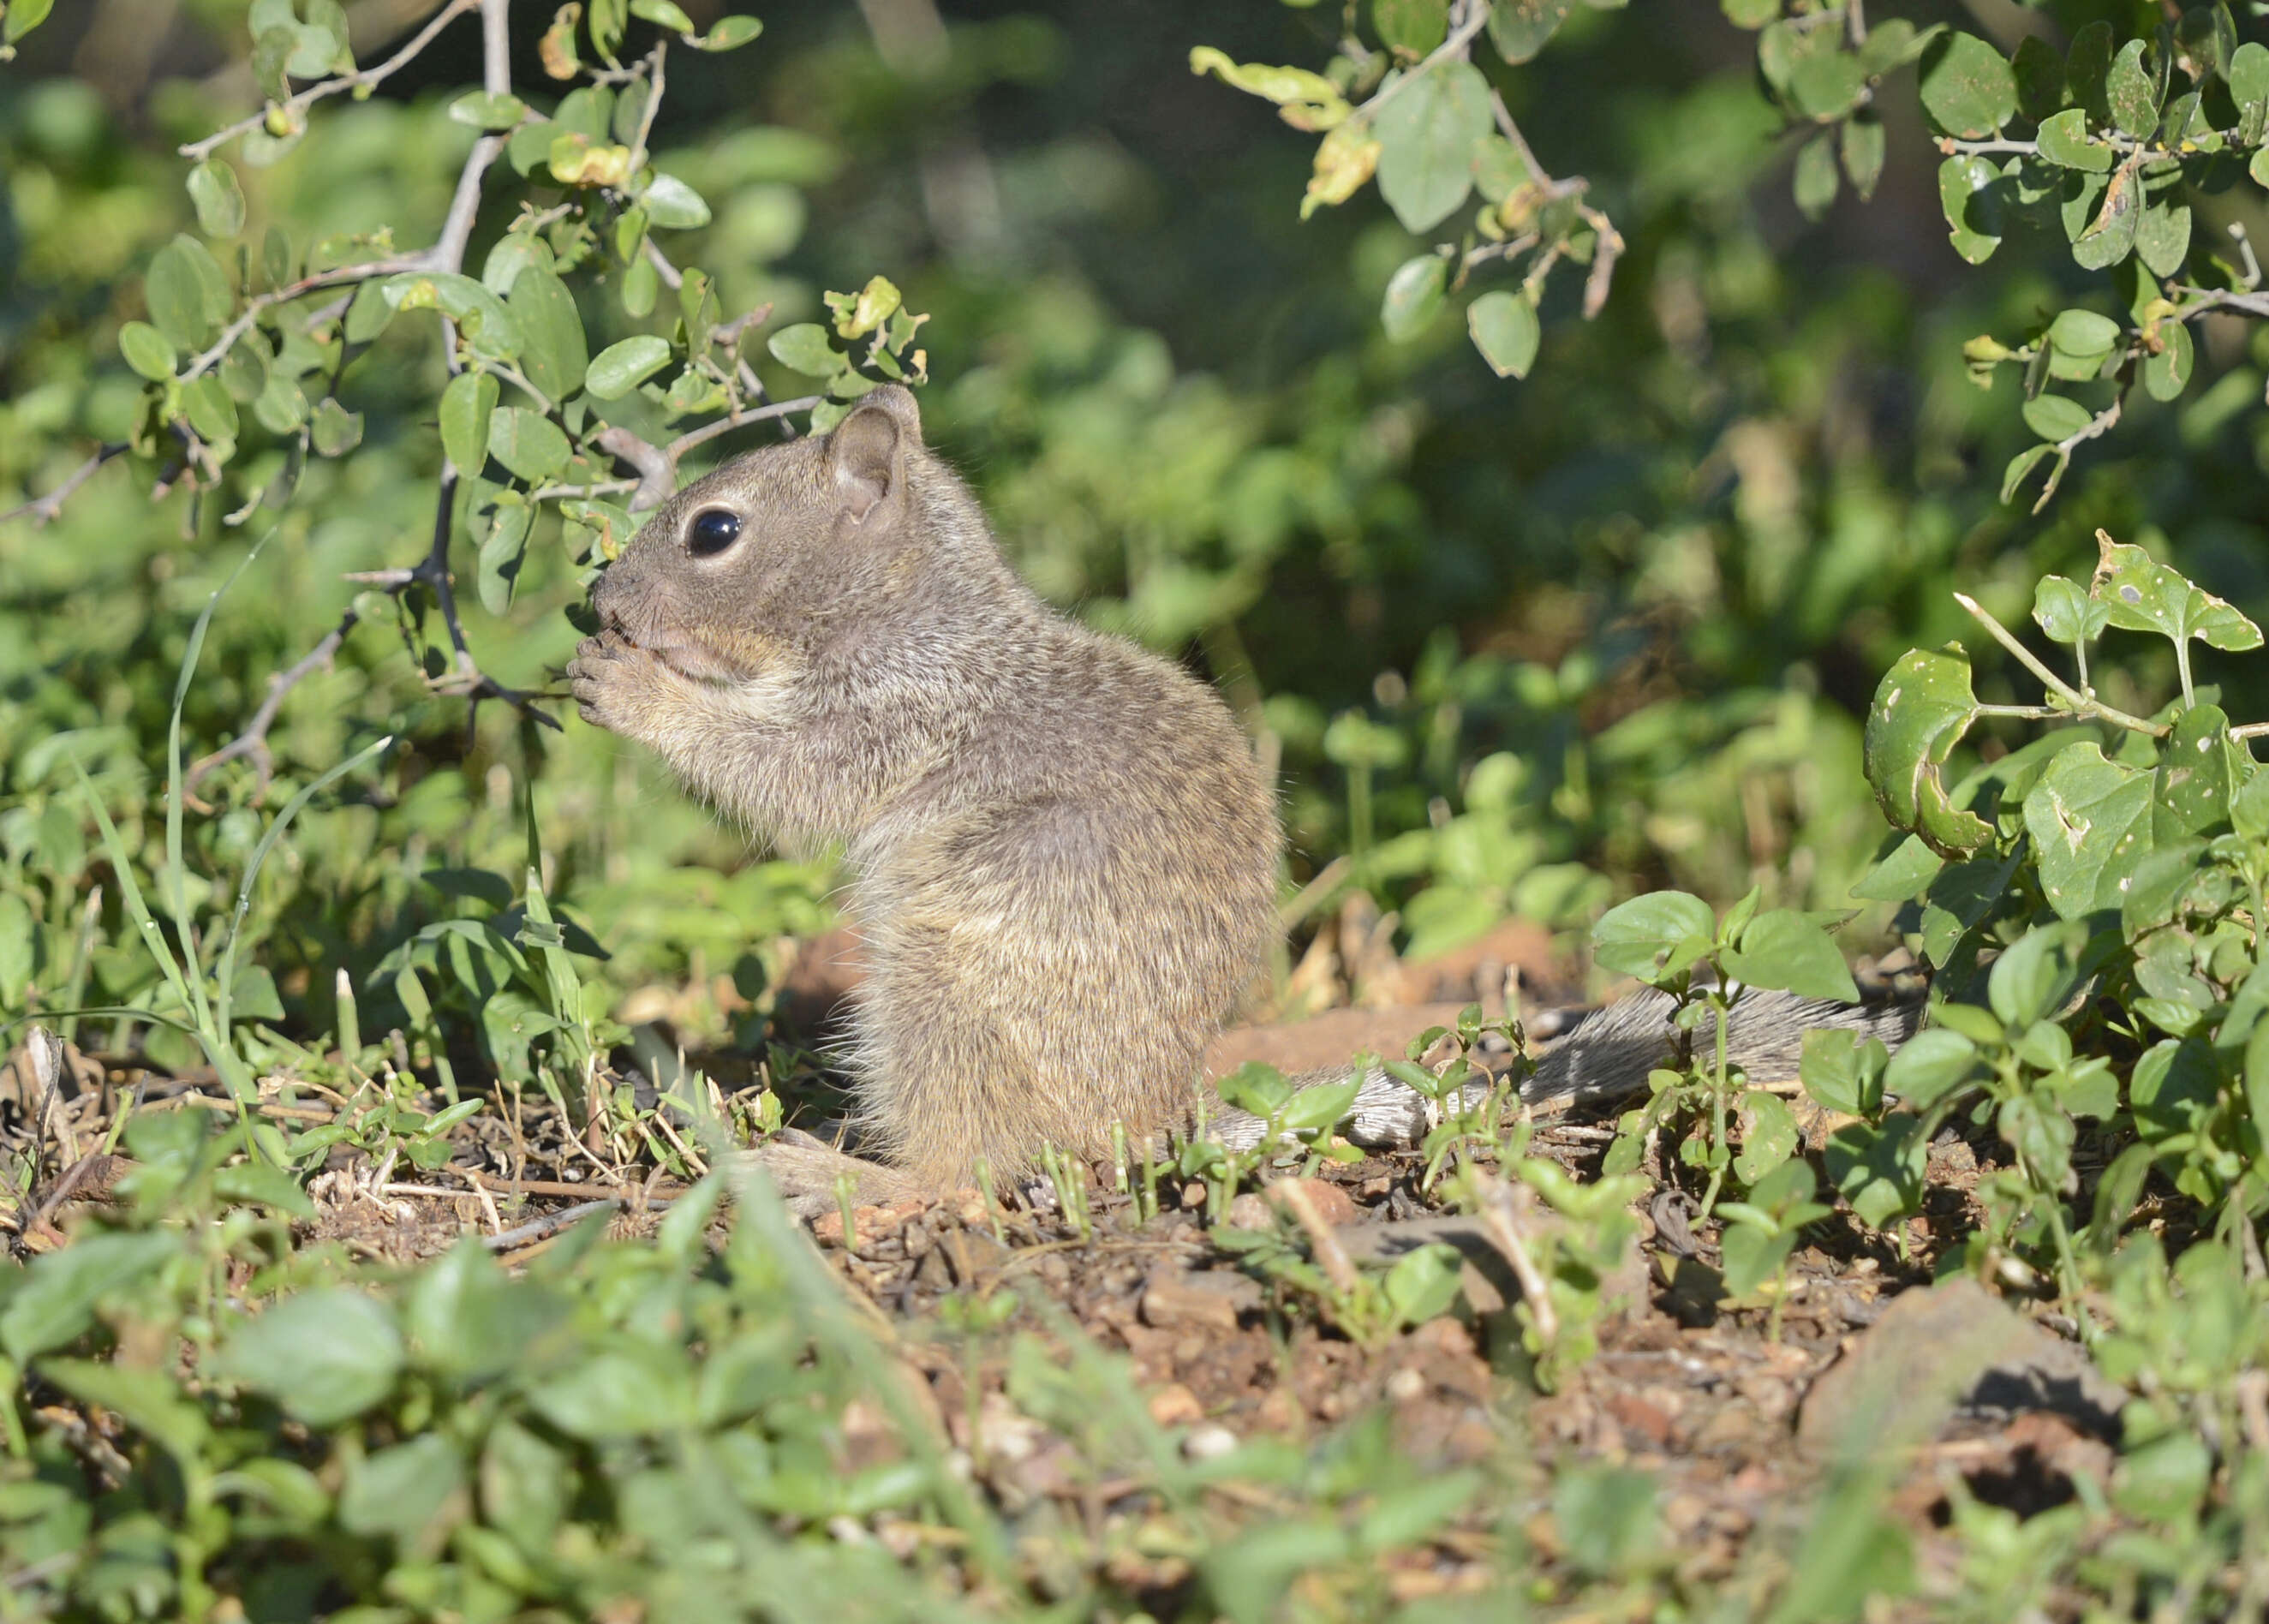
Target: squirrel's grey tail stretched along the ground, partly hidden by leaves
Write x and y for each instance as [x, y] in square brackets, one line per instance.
[1605, 1056]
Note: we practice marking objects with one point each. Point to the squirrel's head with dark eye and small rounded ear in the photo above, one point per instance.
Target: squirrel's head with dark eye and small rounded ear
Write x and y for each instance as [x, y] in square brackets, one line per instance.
[777, 550]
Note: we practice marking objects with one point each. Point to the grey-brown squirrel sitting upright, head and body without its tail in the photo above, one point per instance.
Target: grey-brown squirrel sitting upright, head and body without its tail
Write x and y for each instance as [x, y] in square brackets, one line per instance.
[1061, 849]
